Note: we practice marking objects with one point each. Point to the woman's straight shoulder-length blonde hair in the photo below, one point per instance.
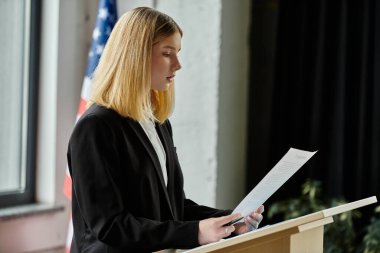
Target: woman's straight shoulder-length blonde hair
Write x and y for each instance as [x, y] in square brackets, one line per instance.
[122, 79]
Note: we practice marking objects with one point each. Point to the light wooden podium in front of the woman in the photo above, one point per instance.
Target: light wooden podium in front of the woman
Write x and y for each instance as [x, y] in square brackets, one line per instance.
[302, 234]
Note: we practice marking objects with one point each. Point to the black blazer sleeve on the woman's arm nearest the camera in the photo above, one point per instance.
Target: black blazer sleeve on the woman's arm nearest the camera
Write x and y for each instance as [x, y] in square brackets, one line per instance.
[93, 162]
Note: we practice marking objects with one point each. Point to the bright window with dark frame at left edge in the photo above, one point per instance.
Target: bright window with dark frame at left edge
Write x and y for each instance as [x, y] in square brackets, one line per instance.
[19, 51]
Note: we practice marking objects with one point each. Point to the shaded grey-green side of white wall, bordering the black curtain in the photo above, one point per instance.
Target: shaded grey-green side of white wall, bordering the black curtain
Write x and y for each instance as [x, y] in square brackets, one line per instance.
[233, 103]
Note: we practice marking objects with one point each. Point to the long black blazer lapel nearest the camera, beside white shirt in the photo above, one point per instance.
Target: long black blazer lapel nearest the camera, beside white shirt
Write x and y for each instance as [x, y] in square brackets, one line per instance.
[152, 154]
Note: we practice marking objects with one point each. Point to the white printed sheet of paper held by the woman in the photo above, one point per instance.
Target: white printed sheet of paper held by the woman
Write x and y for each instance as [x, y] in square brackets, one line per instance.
[289, 164]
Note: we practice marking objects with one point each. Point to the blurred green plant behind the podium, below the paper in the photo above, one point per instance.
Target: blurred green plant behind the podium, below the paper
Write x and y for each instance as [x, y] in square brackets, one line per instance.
[339, 236]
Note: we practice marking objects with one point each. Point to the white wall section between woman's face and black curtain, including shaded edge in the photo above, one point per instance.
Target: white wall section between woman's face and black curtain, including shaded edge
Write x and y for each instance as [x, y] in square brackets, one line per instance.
[209, 121]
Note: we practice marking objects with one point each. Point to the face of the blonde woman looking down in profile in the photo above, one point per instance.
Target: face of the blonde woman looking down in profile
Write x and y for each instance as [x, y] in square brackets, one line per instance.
[165, 61]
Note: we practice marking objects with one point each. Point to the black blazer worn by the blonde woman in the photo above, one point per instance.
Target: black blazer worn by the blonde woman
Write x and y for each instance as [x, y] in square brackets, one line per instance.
[120, 202]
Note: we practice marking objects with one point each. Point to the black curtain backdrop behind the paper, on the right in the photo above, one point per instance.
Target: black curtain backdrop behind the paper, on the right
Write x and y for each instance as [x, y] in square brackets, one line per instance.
[315, 85]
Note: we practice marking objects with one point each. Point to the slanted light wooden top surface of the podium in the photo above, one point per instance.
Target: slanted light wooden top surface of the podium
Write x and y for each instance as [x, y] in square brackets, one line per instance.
[288, 224]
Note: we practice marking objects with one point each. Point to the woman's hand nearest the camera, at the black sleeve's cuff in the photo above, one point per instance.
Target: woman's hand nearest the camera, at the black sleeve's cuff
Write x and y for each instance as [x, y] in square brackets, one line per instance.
[212, 229]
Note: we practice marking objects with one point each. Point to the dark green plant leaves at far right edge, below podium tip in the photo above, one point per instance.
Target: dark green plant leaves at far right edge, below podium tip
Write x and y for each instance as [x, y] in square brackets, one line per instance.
[371, 240]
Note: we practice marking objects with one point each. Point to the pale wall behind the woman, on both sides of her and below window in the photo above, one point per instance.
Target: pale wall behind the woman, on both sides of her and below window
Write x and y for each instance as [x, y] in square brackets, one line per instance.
[208, 122]
